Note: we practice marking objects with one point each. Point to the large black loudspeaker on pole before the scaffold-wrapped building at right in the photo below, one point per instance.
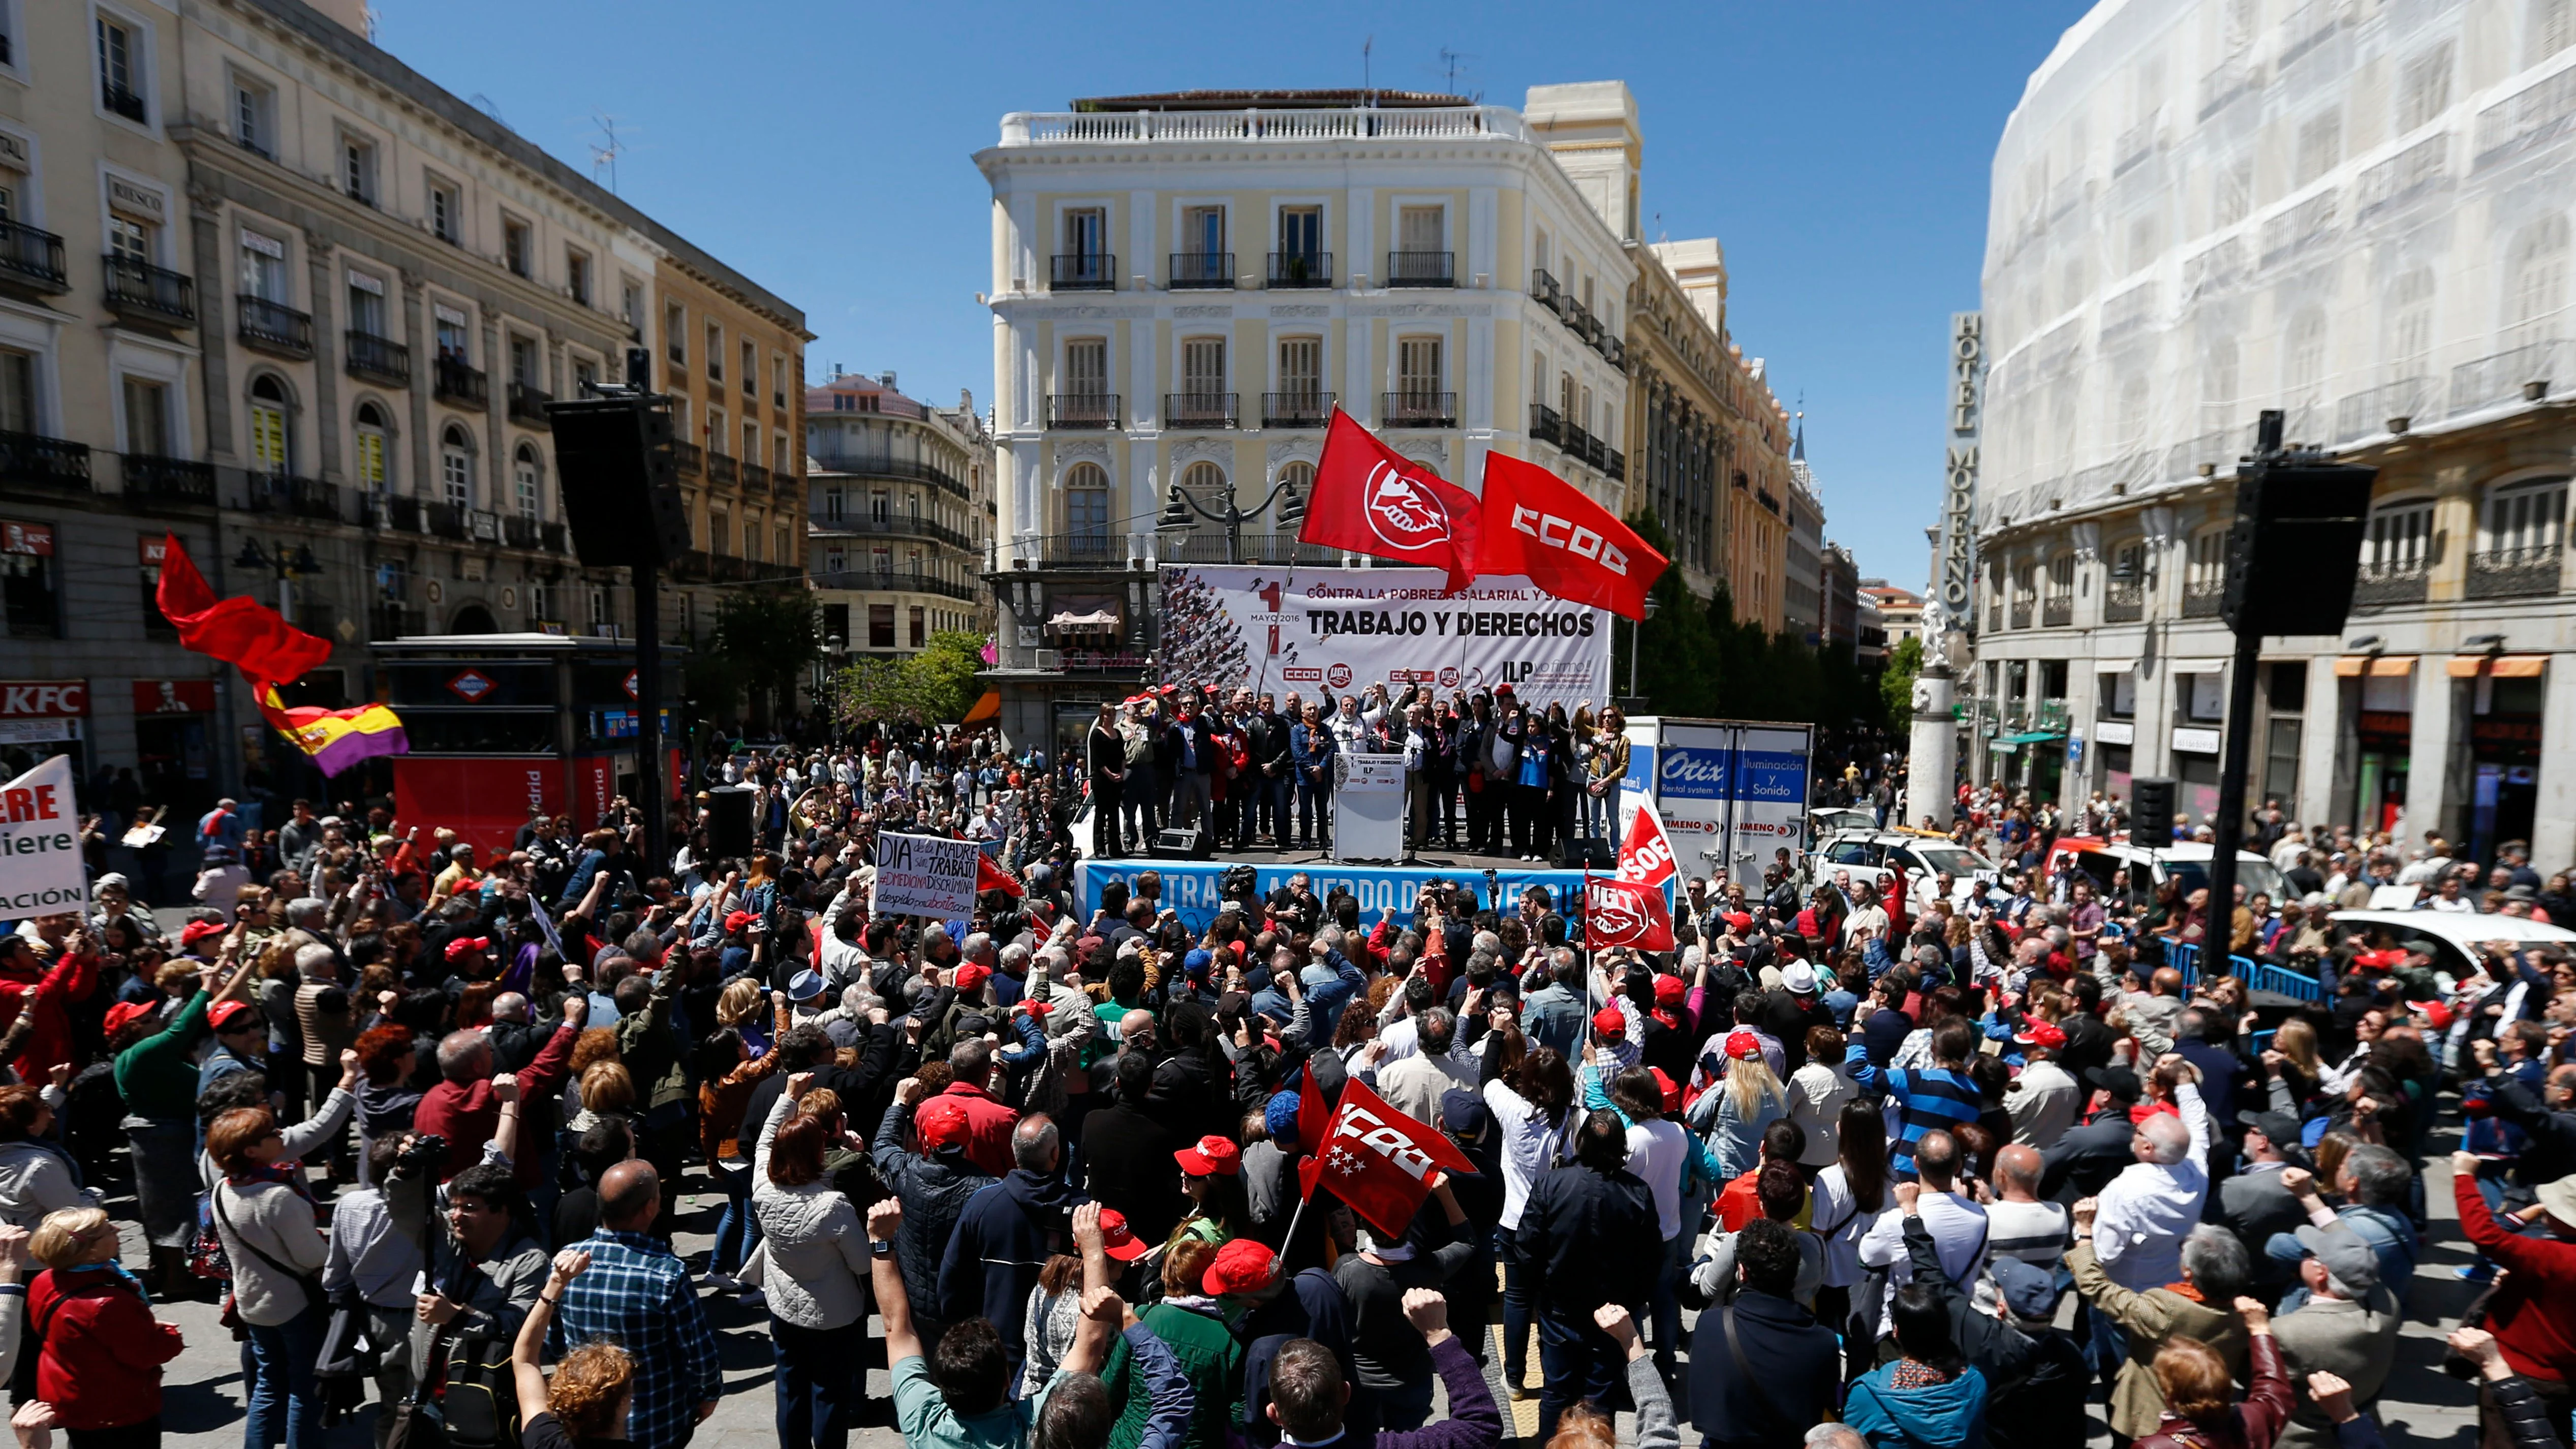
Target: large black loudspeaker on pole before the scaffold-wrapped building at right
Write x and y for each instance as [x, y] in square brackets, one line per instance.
[2297, 548]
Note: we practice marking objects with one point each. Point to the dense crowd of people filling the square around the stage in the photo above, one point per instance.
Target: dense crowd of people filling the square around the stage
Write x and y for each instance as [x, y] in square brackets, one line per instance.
[1928, 1167]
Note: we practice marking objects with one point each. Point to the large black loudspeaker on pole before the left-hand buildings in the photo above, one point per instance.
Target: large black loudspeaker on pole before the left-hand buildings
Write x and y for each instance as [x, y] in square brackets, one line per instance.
[622, 481]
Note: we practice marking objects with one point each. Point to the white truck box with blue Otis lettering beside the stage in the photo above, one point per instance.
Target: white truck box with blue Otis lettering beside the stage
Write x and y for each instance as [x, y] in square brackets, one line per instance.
[1732, 793]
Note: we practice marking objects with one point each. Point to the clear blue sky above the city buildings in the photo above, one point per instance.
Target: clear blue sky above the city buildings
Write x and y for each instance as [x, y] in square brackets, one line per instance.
[1838, 151]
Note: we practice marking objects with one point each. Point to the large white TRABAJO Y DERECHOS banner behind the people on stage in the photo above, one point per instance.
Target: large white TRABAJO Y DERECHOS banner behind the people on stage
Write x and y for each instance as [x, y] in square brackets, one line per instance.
[1328, 630]
